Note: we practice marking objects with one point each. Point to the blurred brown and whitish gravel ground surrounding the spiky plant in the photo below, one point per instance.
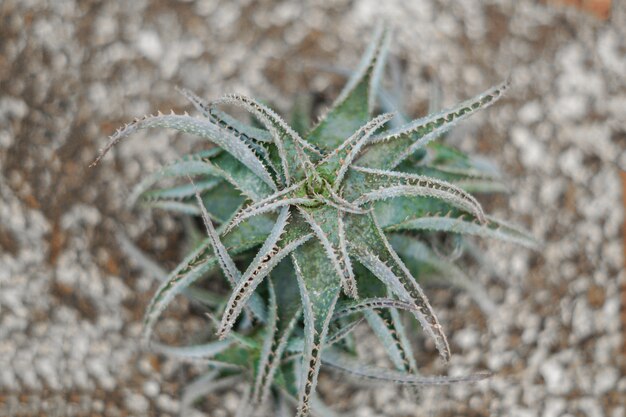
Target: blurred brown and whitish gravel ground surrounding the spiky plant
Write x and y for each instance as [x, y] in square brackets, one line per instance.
[71, 301]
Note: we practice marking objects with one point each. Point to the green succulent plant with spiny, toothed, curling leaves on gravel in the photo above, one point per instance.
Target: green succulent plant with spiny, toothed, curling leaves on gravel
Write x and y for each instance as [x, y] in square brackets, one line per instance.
[319, 231]
